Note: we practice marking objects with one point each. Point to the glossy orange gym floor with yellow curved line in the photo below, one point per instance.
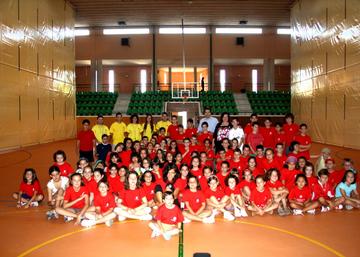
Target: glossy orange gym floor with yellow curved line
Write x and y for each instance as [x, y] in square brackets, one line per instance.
[28, 233]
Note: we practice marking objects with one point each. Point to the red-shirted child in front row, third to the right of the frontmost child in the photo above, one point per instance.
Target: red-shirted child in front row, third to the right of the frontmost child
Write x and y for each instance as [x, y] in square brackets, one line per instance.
[234, 194]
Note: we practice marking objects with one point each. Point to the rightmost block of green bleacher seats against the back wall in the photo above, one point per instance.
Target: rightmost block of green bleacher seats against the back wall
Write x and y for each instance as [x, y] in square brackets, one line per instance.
[269, 102]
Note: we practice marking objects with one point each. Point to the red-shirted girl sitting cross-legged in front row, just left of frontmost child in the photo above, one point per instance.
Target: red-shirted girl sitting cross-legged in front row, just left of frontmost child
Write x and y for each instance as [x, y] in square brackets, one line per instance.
[132, 202]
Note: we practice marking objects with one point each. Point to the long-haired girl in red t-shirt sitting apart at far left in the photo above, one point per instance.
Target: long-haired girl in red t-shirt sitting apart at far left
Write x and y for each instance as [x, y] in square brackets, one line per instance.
[30, 193]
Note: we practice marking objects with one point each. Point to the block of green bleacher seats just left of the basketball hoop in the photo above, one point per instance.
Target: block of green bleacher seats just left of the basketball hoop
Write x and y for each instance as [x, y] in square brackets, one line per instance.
[148, 102]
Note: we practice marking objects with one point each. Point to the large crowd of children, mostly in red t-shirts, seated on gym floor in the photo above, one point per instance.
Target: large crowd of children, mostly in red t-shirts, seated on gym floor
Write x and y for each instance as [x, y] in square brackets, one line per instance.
[174, 180]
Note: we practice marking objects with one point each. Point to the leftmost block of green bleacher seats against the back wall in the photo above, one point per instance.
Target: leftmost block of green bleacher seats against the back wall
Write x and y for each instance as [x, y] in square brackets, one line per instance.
[94, 103]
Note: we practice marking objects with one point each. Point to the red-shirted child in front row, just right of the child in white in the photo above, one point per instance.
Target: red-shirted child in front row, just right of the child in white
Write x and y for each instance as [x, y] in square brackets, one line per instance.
[76, 200]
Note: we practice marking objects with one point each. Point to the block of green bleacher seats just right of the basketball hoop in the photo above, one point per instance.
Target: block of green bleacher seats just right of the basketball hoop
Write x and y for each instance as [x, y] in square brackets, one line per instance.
[218, 102]
